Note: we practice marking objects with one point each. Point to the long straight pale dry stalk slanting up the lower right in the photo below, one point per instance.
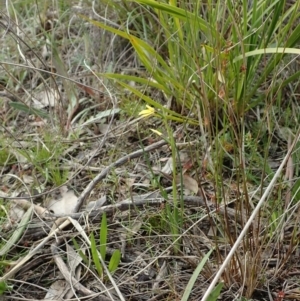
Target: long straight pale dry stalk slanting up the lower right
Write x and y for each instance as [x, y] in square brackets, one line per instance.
[251, 218]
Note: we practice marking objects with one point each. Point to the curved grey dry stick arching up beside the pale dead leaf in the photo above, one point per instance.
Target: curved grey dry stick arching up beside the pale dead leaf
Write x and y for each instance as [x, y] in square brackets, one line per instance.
[106, 170]
